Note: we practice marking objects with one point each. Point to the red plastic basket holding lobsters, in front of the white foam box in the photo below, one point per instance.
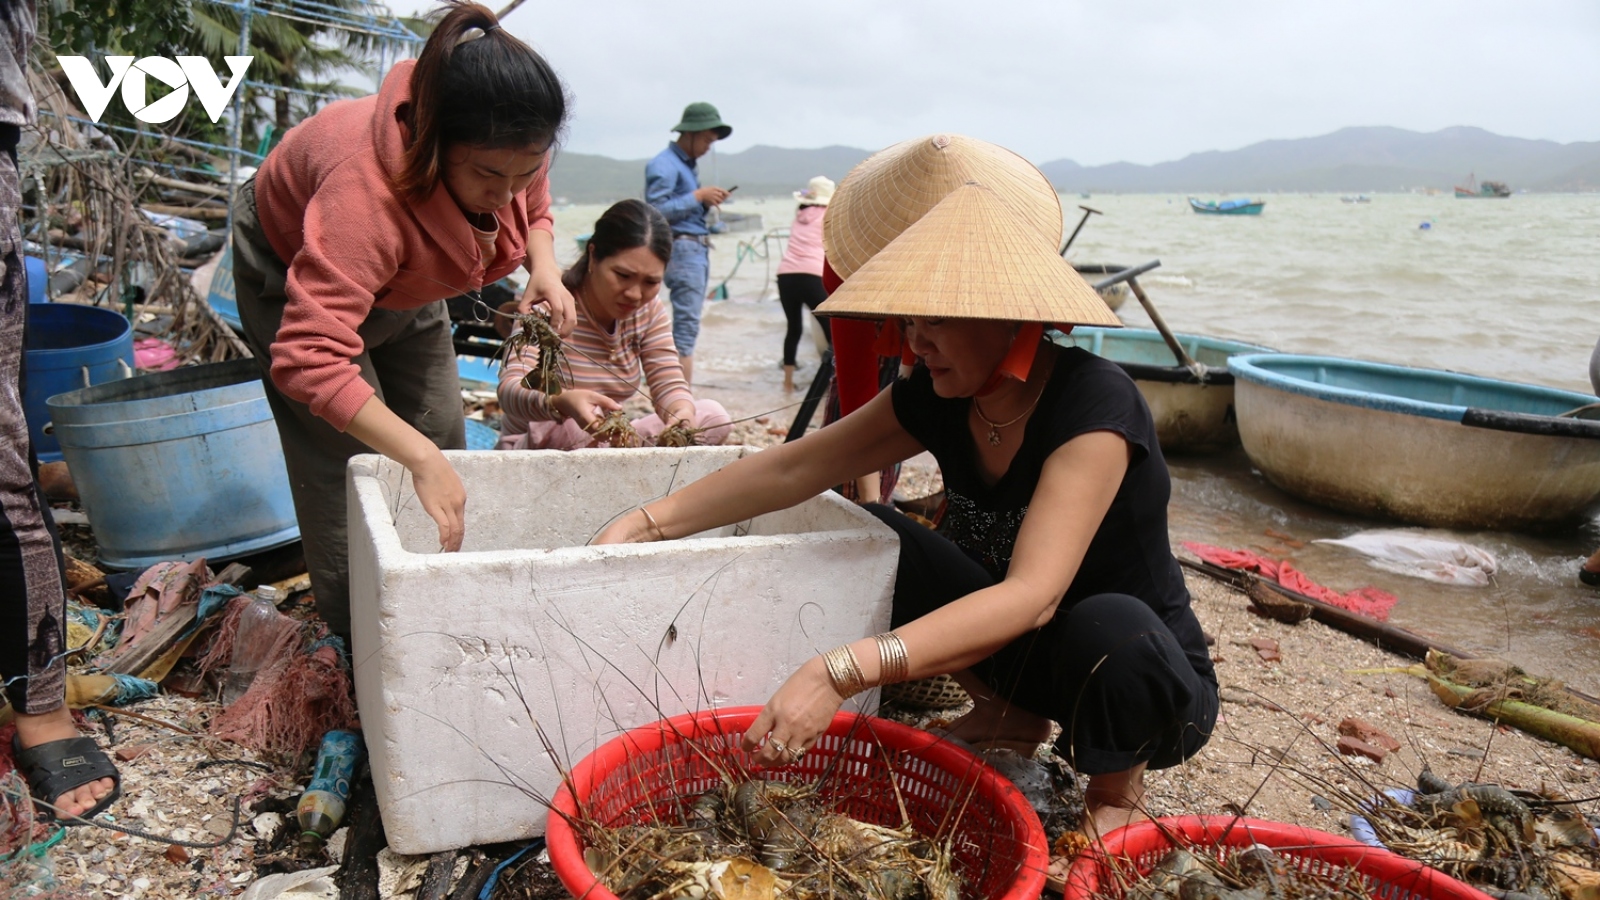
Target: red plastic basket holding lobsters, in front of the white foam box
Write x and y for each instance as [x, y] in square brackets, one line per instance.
[650, 774]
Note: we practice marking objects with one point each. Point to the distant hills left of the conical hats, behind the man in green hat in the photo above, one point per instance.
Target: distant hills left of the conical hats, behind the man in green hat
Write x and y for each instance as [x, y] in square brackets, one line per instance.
[758, 172]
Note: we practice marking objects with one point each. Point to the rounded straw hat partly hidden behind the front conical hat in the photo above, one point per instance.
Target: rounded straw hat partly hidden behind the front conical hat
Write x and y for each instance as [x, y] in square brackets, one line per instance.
[895, 188]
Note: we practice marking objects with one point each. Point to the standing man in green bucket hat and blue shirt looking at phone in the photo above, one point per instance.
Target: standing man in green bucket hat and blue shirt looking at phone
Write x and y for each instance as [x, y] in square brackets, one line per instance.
[673, 187]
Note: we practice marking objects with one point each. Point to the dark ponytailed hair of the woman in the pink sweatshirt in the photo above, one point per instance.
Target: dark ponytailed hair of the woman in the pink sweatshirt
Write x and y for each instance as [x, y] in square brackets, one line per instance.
[476, 84]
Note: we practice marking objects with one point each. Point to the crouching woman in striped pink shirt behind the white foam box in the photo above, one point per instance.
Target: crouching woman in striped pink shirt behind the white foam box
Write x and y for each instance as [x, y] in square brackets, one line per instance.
[623, 334]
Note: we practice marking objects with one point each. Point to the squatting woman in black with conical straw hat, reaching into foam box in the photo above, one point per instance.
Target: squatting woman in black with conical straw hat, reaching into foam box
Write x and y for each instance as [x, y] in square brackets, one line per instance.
[1050, 590]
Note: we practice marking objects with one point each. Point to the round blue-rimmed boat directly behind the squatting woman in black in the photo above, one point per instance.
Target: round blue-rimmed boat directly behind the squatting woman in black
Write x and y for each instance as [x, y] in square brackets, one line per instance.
[1193, 411]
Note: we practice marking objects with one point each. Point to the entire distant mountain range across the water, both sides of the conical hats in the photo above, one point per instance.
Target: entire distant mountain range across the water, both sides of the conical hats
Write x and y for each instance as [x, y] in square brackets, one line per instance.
[1346, 161]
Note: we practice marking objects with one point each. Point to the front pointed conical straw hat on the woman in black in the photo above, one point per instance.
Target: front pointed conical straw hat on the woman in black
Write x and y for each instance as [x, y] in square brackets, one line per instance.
[972, 257]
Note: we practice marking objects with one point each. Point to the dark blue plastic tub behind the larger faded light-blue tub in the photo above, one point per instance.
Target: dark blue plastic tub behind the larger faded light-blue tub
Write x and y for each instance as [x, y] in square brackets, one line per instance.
[70, 347]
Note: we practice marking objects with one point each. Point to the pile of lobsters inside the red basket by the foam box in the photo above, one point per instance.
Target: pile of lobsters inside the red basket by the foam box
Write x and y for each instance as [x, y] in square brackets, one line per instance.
[766, 840]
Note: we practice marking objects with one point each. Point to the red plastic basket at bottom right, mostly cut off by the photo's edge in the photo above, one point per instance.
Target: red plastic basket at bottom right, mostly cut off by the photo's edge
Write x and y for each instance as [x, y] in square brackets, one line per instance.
[1132, 853]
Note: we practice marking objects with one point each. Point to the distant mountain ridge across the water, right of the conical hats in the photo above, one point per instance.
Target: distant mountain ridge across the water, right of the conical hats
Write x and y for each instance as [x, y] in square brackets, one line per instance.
[1353, 159]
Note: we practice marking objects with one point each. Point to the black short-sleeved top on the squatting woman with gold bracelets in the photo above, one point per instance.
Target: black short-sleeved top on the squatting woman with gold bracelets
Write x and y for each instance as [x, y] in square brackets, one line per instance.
[1130, 552]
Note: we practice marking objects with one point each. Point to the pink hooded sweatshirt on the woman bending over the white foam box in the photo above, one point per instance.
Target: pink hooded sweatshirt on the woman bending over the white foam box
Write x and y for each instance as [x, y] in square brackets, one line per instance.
[353, 243]
